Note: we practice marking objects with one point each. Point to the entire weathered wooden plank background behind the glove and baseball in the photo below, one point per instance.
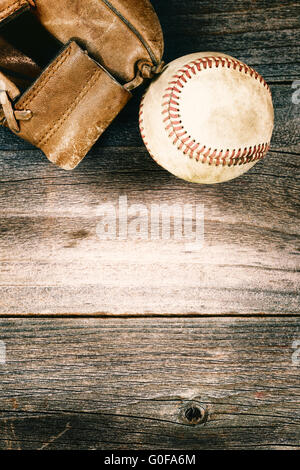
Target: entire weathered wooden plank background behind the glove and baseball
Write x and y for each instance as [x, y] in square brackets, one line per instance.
[139, 344]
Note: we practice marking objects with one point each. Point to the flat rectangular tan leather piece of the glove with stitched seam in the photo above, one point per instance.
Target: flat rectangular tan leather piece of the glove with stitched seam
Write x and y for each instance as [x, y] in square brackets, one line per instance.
[84, 99]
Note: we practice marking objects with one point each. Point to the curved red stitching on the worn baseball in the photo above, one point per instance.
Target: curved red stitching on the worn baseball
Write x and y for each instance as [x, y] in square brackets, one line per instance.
[171, 108]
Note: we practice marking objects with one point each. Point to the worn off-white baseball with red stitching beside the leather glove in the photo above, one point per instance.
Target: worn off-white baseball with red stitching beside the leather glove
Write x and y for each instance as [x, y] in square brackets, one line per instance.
[207, 118]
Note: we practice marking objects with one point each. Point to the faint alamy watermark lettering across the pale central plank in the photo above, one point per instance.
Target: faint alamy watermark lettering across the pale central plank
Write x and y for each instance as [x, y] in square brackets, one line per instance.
[177, 222]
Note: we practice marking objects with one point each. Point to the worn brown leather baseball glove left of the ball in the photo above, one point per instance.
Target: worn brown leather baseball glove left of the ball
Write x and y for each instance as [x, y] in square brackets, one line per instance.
[78, 61]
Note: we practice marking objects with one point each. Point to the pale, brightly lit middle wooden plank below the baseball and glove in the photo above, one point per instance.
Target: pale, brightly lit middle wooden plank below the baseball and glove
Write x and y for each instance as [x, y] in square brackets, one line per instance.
[52, 260]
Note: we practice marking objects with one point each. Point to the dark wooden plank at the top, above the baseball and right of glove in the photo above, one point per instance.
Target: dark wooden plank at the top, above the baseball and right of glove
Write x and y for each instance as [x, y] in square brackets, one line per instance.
[264, 34]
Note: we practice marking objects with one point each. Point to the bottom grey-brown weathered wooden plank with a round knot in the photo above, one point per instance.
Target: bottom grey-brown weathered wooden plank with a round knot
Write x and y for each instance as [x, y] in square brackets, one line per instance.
[107, 384]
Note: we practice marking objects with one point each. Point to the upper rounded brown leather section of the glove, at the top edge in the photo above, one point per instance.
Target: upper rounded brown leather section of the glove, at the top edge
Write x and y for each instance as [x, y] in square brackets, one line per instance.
[118, 33]
